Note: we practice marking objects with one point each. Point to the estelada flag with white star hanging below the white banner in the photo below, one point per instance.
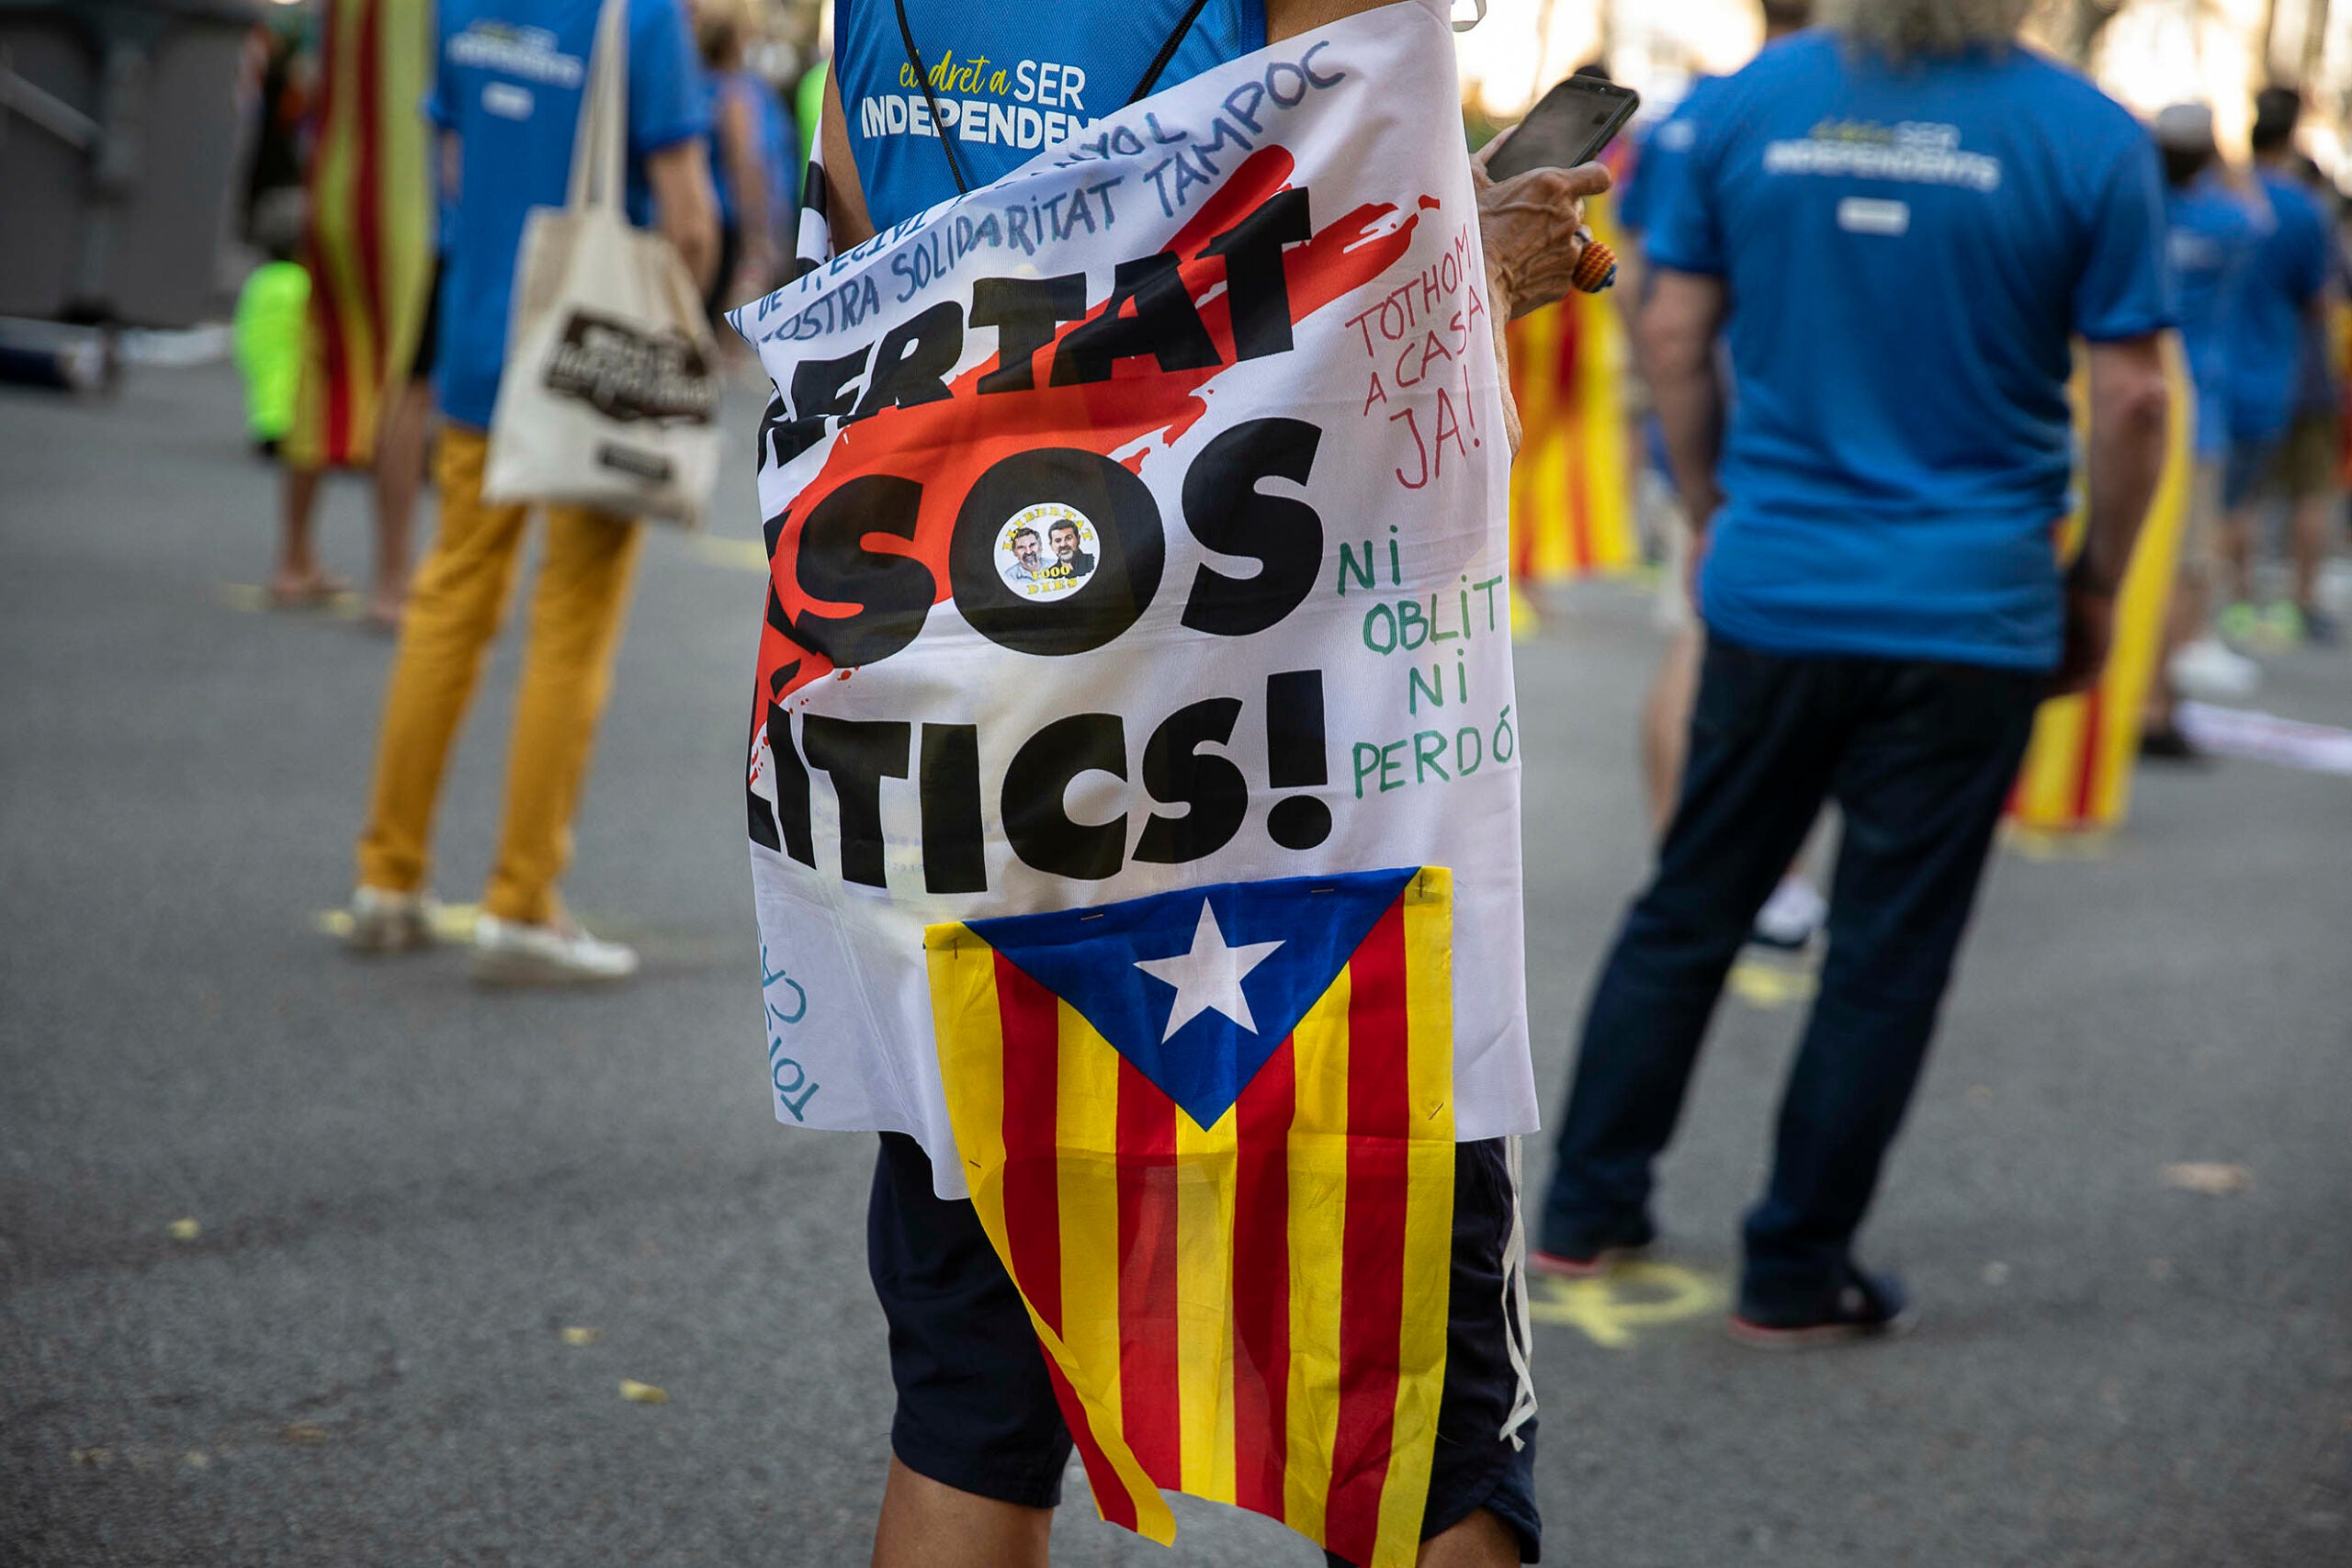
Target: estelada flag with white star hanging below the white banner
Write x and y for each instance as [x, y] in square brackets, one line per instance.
[1212, 1139]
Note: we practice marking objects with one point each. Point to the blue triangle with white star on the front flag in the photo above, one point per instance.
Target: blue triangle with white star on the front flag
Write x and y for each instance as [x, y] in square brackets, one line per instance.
[1231, 967]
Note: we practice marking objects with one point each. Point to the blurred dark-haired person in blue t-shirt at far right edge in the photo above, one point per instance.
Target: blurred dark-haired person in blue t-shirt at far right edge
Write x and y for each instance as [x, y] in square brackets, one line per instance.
[2283, 398]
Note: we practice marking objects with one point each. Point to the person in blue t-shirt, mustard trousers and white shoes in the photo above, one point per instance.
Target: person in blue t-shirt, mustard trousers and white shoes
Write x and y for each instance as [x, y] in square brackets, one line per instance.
[507, 98]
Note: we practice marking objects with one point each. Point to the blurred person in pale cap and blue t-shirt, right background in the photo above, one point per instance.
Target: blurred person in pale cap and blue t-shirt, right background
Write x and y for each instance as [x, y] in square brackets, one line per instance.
[2212, 232]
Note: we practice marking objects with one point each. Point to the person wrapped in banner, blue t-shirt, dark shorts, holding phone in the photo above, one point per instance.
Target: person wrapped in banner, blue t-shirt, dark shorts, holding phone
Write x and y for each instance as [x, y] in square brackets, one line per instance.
[944, 98]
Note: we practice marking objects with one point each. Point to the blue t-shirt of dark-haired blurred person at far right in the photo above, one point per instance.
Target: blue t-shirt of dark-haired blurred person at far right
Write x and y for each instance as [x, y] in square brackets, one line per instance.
[2271, 375]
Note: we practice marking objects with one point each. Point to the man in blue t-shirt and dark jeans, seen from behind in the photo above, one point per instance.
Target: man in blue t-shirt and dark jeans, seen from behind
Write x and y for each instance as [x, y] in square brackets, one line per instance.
[1899, 239]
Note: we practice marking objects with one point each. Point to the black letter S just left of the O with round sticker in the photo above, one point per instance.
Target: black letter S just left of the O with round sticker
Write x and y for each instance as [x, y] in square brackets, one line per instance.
[893, 591]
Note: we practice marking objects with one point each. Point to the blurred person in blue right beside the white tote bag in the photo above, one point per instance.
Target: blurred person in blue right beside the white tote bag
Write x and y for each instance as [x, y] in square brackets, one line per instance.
[751, 163]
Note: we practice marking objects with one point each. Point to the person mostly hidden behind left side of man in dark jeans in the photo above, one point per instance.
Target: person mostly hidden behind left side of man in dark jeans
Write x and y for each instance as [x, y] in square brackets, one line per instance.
[1791, 918]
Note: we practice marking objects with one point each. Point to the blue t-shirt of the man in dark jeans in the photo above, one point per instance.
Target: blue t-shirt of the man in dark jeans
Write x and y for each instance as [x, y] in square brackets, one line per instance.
[1906, 255]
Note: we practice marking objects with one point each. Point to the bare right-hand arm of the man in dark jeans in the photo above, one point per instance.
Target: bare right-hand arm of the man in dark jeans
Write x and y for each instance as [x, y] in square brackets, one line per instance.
[2130, 417]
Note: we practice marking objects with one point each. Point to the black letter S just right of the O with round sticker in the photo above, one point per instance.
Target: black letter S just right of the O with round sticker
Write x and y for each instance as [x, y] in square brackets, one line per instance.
[1224, 509]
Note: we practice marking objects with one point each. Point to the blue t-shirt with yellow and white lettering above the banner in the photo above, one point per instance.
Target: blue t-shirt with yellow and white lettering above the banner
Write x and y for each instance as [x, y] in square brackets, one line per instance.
[1010, 81]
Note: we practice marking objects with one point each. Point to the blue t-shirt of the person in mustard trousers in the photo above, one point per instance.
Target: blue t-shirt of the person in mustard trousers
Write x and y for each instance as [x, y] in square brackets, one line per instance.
[512, 83]
